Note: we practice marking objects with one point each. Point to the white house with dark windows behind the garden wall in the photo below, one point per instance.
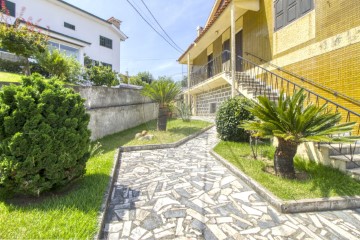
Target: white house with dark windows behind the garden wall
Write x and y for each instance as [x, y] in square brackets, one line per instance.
[74, 30]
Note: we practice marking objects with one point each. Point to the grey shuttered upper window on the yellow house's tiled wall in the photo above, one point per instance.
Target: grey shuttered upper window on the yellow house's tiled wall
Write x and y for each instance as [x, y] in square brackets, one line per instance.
[287, 11]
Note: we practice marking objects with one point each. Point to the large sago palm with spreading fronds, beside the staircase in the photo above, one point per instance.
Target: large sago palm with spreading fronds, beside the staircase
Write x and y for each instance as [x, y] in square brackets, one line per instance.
[293, 122]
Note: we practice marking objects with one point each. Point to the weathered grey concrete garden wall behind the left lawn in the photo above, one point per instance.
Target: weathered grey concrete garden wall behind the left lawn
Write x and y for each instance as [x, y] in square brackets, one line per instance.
[115, 109]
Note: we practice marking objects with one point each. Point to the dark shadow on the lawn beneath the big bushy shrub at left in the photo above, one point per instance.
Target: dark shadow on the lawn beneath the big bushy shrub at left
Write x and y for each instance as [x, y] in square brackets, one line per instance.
[81, 194]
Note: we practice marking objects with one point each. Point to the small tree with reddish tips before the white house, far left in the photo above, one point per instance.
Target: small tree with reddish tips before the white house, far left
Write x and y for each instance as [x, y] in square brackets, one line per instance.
[23, 39]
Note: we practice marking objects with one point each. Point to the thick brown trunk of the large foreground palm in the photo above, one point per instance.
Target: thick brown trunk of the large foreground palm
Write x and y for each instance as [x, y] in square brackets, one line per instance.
[284, 158]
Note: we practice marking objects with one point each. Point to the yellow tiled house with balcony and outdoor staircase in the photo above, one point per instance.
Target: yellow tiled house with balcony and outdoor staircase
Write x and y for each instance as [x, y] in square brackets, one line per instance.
[315, 44]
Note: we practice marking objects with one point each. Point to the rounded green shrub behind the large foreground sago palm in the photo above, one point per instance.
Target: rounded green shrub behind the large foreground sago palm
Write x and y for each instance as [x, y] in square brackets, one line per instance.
[230, 114]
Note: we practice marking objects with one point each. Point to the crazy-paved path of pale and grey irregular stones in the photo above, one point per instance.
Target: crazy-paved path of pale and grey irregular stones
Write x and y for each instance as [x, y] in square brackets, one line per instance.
[184, 193]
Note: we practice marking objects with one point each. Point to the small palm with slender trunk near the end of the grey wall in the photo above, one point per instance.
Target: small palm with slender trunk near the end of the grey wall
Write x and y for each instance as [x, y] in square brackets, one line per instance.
[163, 92]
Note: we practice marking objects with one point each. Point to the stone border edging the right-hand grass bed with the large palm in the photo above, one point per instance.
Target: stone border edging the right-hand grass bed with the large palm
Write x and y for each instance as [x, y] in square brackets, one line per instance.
[292, 206]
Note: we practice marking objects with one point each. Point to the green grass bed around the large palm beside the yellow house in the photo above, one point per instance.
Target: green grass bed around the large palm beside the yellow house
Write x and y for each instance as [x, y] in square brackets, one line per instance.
[322, 181]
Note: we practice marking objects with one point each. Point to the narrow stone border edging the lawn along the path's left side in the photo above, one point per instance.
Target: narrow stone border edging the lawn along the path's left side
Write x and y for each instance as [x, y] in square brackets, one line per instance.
[114, 173]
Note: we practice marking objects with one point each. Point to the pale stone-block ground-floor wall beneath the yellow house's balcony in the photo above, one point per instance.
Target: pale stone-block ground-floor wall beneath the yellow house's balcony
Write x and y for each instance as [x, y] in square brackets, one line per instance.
[212, 99]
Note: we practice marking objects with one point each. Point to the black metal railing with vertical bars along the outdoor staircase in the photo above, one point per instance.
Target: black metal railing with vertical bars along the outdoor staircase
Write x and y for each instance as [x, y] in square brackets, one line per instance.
[265, 82]
